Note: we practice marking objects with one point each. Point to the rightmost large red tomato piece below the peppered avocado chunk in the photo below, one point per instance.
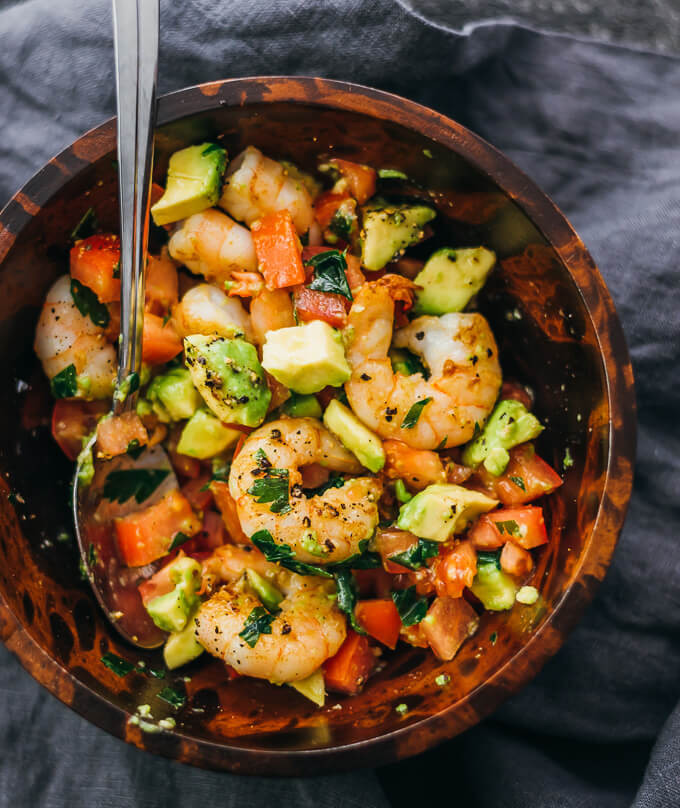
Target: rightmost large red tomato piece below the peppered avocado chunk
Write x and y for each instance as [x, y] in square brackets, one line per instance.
[526, 478]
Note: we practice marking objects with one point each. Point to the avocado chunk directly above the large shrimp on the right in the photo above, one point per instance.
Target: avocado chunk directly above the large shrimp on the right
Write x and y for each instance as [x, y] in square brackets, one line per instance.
[450, 278]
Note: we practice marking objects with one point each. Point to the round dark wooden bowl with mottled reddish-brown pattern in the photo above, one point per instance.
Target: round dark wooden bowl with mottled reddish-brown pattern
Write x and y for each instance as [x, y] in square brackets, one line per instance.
[558, 331]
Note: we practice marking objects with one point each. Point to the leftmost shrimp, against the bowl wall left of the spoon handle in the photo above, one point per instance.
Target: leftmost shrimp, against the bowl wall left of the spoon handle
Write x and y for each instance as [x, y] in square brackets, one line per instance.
[66, 337]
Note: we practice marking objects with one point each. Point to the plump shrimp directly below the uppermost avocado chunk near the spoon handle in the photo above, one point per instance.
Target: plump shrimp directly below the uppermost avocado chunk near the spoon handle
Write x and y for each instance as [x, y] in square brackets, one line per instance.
[213, 245]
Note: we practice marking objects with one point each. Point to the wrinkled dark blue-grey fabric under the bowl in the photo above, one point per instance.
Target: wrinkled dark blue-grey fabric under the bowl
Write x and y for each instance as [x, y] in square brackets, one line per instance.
[597, 127]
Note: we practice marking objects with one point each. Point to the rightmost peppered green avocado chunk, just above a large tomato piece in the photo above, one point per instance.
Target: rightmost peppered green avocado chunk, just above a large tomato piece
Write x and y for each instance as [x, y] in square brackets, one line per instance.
[509, 424]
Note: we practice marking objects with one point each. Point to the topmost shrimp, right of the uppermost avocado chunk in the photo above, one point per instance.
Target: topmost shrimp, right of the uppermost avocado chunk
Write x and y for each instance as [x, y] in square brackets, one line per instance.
[256, 185]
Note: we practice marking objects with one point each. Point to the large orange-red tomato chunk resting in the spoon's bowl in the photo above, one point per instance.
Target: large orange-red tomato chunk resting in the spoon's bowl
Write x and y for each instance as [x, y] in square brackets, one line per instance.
[147, 535]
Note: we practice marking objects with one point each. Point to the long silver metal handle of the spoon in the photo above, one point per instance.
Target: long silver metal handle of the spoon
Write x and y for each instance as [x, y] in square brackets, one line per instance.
[135, 25]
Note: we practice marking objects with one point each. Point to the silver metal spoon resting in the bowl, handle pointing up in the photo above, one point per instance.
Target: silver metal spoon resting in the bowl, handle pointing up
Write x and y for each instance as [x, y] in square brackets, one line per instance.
[136, 48]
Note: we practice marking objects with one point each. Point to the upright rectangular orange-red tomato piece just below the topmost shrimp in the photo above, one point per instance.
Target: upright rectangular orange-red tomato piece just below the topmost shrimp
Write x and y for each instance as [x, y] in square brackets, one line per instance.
[278, 250]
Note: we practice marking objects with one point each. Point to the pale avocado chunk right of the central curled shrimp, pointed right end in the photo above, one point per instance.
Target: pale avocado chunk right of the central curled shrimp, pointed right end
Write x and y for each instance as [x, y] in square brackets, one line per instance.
[442, 510]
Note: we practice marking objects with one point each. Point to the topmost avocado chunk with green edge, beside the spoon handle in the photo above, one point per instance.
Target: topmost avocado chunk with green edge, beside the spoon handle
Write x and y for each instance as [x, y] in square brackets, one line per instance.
[193, 184]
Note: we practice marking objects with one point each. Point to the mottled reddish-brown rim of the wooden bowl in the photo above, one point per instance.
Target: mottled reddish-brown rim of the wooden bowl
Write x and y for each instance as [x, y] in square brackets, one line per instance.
[424, 733]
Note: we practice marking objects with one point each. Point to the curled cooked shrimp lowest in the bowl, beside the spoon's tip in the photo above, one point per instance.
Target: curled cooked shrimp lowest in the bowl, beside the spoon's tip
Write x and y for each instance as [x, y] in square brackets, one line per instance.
[308, 630]
